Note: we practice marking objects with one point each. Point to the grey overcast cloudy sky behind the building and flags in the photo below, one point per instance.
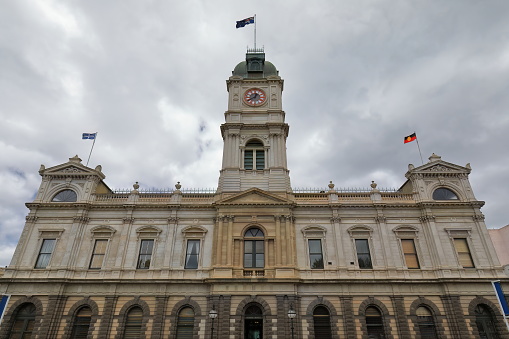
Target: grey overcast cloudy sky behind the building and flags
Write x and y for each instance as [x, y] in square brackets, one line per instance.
[149, 76]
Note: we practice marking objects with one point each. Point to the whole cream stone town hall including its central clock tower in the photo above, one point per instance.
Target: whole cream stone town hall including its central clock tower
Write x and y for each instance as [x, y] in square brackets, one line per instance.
[410, 263]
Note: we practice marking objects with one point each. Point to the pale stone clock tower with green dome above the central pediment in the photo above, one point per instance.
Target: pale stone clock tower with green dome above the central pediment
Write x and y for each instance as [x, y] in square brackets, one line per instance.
[254, 132]
